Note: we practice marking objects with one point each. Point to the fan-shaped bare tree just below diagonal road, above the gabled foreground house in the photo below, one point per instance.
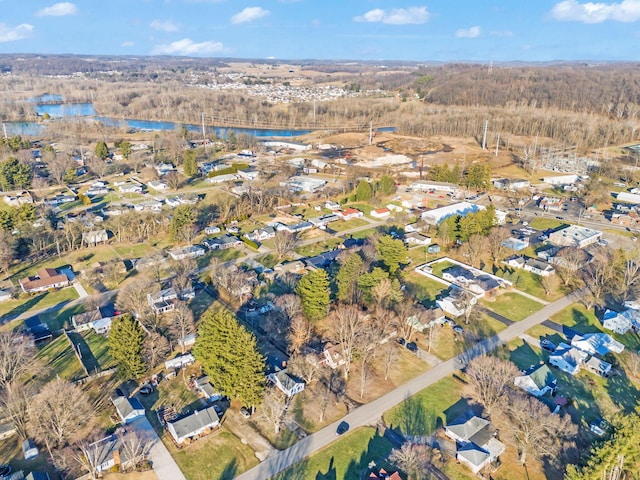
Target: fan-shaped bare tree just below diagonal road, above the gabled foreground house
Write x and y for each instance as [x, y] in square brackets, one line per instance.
[491, 377]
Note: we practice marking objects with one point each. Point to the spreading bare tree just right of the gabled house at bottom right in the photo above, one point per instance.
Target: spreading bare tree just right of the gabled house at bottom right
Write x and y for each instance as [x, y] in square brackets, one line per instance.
[536, 431]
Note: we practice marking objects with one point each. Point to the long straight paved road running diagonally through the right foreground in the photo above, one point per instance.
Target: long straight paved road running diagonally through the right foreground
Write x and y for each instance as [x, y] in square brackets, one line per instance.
[368, 414]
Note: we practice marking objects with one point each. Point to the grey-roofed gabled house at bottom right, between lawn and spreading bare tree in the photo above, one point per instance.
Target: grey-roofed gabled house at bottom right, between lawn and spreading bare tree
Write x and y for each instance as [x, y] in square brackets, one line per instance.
[476, 442]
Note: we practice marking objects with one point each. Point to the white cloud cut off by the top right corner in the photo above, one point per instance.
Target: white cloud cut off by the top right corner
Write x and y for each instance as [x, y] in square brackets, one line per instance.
[591, 12]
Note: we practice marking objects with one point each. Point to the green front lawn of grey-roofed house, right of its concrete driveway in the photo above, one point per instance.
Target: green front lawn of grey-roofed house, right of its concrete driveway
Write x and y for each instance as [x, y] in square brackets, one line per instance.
[221, 455]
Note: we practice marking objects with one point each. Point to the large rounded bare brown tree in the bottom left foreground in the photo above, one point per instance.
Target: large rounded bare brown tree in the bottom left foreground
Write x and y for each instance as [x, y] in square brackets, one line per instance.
[58, 412]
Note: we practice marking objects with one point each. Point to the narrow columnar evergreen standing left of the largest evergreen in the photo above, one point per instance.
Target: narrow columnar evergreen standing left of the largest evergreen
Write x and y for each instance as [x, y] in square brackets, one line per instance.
[126, 344]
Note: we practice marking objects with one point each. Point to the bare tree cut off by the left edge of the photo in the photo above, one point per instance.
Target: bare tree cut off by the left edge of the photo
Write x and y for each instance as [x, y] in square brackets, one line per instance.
[17, 356]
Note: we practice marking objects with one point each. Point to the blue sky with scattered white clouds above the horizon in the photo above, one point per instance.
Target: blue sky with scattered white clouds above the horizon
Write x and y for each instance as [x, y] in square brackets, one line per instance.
[434, 30]
